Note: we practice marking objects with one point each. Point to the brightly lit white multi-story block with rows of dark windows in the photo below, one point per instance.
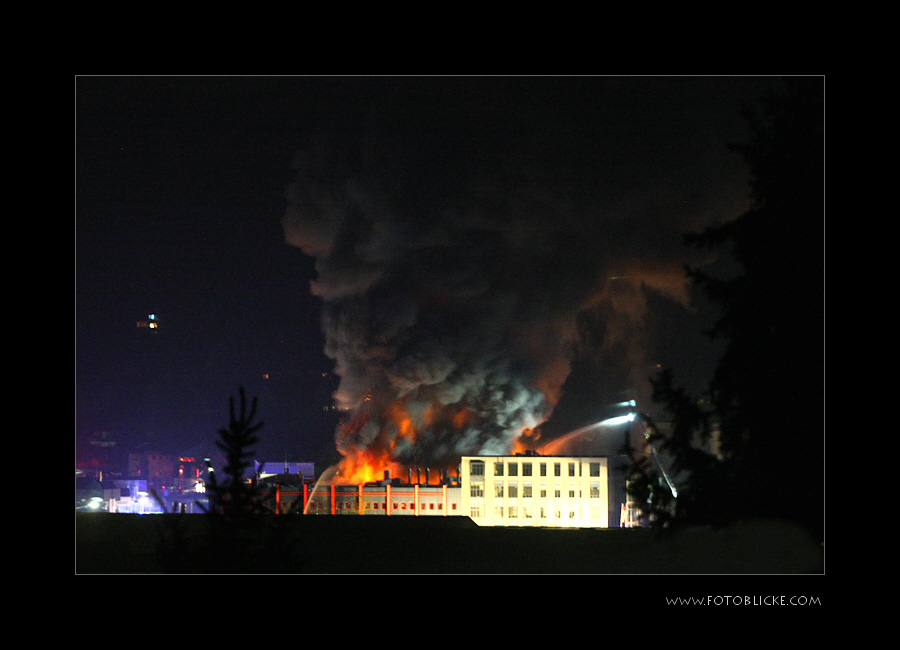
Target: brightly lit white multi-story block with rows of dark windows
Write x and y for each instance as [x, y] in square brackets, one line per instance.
[547, 491]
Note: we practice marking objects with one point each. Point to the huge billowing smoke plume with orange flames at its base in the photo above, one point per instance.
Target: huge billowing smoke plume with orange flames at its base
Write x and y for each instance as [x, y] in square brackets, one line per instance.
[473, 238]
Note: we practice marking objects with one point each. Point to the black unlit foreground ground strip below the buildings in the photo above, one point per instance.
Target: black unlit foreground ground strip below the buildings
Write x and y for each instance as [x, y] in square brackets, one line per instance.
[171, 543]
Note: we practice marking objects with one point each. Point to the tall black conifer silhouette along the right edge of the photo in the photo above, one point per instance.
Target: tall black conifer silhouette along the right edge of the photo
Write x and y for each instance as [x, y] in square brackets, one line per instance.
[766, 396]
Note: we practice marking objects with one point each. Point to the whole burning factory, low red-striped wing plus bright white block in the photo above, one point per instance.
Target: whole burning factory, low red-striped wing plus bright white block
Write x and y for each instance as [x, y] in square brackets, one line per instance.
[523, 490]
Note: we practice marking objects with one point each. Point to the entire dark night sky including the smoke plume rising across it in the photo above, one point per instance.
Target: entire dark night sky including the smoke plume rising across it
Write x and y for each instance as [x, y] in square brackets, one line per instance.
[508, 249]
